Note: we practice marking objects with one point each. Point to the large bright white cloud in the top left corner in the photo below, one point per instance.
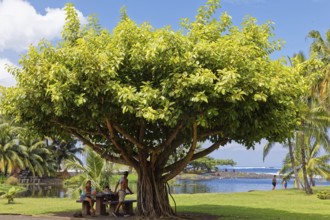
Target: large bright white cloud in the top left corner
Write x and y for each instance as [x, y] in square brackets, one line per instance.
[21, 25]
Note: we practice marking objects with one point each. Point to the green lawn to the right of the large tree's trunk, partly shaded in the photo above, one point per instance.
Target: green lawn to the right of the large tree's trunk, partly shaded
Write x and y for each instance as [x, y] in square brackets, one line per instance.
[279, 204]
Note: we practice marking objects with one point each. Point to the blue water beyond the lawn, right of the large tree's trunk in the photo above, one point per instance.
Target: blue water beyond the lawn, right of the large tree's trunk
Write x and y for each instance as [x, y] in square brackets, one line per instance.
[233, 184]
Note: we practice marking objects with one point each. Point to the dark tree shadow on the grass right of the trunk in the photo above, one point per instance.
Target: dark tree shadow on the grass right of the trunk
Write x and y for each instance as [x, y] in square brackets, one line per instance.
[237, 212]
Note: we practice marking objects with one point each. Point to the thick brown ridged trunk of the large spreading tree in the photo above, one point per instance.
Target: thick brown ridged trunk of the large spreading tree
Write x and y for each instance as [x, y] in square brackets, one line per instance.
[152, 195]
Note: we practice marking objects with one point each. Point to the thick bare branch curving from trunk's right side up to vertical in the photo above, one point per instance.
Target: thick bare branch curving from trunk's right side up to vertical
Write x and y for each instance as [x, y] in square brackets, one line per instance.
[183, 163]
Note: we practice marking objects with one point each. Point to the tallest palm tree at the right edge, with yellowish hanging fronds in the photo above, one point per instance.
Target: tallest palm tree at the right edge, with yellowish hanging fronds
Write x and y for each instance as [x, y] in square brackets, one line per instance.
[315, 105]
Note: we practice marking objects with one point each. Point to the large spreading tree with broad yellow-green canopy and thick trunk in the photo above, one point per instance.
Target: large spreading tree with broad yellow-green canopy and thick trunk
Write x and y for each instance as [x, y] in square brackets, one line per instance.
[137, 94]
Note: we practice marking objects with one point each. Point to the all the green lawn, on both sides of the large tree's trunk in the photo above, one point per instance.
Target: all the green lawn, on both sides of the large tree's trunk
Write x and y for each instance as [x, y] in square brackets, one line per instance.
[278, 204]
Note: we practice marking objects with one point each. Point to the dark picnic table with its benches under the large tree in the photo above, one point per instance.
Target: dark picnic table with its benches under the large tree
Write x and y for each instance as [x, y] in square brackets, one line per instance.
[102, 201]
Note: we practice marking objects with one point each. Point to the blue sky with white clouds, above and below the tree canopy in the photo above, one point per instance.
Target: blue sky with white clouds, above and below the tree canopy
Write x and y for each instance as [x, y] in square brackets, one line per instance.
[25, 22]
